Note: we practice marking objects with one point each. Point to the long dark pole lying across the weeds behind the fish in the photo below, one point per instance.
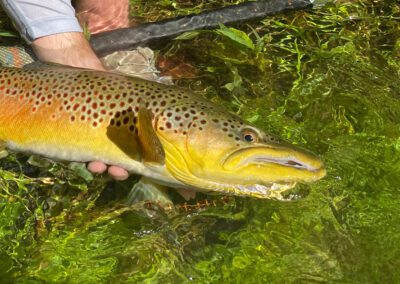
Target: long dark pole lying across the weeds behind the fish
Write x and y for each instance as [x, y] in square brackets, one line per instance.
[149, 33]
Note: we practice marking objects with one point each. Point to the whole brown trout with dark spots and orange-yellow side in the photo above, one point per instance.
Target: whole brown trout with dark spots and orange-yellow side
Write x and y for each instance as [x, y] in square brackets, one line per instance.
[169, 135]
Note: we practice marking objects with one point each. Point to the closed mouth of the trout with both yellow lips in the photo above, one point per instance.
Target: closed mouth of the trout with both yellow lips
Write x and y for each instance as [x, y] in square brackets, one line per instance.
[275, 164]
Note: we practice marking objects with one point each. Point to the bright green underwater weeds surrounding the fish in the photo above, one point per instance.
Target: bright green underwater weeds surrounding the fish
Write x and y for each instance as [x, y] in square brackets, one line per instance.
[328, 79]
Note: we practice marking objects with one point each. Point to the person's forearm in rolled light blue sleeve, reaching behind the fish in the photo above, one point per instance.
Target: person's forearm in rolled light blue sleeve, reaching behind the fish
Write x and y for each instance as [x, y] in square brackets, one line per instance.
[53, 31]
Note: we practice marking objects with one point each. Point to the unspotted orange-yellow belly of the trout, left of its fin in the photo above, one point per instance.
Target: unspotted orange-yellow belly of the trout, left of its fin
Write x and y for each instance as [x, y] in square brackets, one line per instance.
[51, 133]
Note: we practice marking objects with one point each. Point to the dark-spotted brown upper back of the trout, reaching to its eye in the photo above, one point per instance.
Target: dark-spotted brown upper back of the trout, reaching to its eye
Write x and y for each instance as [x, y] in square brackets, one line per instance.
[99, 99]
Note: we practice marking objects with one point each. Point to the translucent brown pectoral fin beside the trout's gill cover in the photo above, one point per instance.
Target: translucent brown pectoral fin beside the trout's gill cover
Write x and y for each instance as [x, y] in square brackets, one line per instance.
[152, 150]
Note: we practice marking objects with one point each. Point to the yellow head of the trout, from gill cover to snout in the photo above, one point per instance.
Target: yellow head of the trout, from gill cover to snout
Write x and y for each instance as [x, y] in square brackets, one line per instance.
[212, 150]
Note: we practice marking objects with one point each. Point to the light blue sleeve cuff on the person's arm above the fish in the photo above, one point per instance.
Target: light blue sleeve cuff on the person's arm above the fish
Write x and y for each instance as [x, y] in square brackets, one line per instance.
[38, 18]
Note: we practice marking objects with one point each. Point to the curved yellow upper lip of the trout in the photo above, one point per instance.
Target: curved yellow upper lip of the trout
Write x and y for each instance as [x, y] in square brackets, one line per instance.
[288, 160]
